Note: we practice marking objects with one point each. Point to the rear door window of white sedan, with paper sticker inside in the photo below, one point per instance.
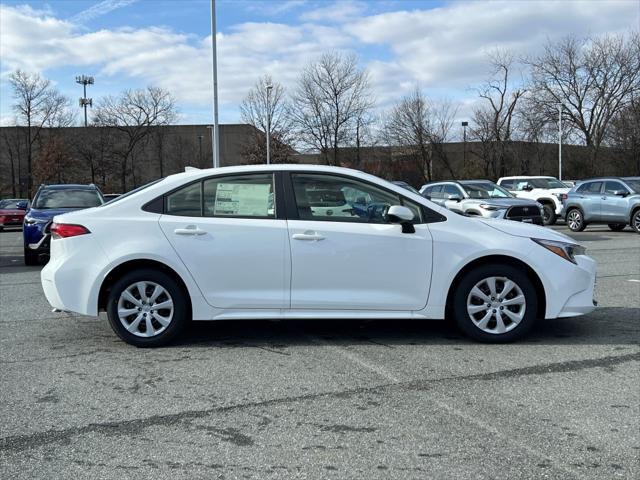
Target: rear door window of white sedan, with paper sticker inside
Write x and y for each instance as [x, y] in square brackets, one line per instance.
[240, 196]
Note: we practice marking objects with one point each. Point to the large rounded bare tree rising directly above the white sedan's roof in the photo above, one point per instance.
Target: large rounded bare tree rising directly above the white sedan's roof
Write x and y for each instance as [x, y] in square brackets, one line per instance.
[332, 94]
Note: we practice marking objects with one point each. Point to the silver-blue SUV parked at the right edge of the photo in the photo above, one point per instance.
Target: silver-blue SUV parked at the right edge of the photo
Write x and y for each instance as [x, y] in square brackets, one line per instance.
[614, 201]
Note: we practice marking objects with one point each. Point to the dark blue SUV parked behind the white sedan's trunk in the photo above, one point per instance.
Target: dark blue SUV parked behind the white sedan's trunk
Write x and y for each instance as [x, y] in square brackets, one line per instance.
[49, 201]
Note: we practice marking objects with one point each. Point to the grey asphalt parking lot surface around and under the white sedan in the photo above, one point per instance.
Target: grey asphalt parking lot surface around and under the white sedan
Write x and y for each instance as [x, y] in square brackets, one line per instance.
[383, 399]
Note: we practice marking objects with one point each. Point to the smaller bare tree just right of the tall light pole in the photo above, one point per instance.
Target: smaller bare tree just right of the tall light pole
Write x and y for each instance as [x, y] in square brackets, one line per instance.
[266, 108]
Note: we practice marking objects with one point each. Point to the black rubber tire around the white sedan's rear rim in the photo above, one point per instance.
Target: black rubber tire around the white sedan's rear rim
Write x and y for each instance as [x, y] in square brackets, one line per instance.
[181, 310]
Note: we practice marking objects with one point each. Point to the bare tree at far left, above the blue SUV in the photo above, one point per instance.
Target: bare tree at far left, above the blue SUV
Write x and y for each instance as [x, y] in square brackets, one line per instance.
[37, 104]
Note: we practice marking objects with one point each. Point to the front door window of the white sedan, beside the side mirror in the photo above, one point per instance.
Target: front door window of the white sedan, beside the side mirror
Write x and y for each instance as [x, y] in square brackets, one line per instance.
[341, 199]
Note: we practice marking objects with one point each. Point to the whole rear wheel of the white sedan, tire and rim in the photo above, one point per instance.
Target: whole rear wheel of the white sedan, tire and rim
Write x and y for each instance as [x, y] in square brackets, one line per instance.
[147, 308]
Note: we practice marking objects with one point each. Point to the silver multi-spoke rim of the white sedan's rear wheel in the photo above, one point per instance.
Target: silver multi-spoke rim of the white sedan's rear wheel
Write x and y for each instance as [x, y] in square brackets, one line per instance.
[145, 309]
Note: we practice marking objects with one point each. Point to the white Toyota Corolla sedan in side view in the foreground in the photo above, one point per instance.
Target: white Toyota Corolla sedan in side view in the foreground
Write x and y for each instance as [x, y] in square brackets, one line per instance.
[300, 241]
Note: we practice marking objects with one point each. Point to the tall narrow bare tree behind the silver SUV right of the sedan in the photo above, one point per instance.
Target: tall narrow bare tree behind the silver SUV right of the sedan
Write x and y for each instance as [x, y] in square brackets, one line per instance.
[494, 120]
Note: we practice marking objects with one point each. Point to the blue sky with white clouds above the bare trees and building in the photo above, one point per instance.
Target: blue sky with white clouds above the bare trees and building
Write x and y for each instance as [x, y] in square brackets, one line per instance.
[439, 46]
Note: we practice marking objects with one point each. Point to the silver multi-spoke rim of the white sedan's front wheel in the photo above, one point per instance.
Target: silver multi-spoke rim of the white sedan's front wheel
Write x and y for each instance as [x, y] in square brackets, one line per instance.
[496, 305]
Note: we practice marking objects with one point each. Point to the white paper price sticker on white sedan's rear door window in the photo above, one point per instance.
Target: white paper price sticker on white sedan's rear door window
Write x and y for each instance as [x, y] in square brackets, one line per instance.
[243, 199]
